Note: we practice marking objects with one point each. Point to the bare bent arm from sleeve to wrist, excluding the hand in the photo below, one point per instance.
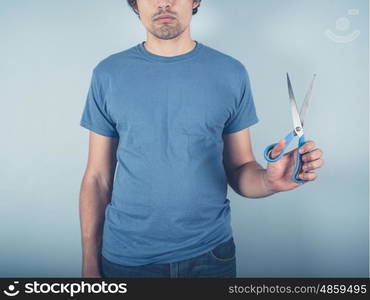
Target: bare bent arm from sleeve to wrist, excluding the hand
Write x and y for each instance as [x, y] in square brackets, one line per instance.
[245, 175]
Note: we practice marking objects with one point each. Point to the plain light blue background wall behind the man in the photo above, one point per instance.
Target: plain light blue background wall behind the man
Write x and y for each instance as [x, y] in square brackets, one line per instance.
[48, 49]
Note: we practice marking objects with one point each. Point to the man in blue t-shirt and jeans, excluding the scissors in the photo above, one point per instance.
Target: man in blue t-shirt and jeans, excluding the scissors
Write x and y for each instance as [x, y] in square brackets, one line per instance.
[175, 115]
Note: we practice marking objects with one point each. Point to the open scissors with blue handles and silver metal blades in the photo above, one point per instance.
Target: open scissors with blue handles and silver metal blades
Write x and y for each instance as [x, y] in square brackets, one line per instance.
[297, 128]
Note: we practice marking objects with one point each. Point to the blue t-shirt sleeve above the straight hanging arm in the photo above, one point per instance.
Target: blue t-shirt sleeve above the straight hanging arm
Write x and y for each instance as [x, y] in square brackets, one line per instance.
[95, 116]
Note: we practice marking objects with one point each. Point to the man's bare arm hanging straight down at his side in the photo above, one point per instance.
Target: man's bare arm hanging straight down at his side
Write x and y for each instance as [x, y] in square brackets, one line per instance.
[95, 194]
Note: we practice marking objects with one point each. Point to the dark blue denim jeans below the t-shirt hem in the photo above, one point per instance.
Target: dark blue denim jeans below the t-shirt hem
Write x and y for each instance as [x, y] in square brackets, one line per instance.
[218, 262]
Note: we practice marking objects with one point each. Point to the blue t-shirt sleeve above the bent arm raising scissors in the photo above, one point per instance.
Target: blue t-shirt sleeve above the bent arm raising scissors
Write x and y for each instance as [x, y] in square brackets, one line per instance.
[244, 114]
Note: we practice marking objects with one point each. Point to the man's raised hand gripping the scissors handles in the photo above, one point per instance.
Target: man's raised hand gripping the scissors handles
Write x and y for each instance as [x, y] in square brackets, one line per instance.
[278, 175]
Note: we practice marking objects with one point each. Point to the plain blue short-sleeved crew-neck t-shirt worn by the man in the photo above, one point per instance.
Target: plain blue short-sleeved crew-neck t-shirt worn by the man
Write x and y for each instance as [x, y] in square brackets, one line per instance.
[169, 199]
